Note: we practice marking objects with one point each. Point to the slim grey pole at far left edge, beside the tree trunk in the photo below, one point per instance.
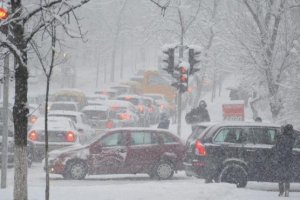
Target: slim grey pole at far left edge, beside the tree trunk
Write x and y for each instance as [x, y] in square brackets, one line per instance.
[5, 121]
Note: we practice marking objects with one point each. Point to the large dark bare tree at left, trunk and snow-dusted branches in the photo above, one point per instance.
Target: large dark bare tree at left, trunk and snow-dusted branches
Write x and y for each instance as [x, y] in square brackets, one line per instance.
[25, 23]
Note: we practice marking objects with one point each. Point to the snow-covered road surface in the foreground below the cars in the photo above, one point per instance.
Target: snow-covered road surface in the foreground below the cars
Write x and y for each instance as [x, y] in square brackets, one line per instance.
[140, 187]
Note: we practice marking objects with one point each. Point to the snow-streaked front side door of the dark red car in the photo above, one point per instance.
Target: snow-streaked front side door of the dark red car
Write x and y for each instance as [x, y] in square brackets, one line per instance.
[108, 154]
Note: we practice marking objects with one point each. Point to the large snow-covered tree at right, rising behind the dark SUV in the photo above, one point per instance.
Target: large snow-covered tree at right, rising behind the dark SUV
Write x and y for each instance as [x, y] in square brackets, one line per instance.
[266, 38]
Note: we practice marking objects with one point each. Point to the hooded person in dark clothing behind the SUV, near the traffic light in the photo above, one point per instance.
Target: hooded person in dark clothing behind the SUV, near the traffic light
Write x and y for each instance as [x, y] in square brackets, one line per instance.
[199, 114]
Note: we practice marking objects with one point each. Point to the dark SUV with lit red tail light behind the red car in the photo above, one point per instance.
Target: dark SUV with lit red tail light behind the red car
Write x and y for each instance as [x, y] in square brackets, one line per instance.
[235, 152]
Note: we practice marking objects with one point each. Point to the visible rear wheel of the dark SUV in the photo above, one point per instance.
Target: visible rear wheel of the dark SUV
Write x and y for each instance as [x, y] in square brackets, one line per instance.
[234, 173]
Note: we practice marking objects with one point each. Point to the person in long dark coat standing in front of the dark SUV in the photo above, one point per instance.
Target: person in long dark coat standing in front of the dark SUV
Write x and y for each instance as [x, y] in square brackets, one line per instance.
[283, 152]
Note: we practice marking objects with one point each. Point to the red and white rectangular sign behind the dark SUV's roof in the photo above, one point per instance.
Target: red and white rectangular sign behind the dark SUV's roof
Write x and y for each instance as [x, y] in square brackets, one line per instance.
[233, 112]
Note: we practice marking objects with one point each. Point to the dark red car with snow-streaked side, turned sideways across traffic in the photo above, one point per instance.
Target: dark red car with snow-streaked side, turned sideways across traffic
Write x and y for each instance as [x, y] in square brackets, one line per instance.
[156, 152]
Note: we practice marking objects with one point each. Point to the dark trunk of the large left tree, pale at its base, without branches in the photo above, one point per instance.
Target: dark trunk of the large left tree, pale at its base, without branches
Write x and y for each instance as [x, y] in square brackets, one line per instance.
[20, 110]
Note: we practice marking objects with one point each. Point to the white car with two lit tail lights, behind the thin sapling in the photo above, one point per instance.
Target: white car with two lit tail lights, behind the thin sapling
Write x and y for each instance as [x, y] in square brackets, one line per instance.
[62, 132]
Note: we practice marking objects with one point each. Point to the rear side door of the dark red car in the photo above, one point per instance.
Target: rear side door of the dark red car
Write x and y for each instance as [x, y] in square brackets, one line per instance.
[143, 151]
